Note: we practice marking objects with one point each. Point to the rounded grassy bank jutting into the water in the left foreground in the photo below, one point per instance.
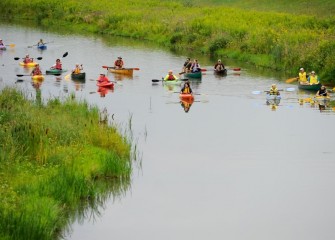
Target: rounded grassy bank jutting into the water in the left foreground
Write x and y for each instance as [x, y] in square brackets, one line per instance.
[55, 160]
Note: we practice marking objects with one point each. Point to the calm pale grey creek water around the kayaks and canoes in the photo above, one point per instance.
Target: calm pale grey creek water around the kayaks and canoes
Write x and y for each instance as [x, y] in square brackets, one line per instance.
[232, 167]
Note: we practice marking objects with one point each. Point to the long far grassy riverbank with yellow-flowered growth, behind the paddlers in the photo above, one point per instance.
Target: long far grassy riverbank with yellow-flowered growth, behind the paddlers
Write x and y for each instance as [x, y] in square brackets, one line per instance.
[275, 39]
